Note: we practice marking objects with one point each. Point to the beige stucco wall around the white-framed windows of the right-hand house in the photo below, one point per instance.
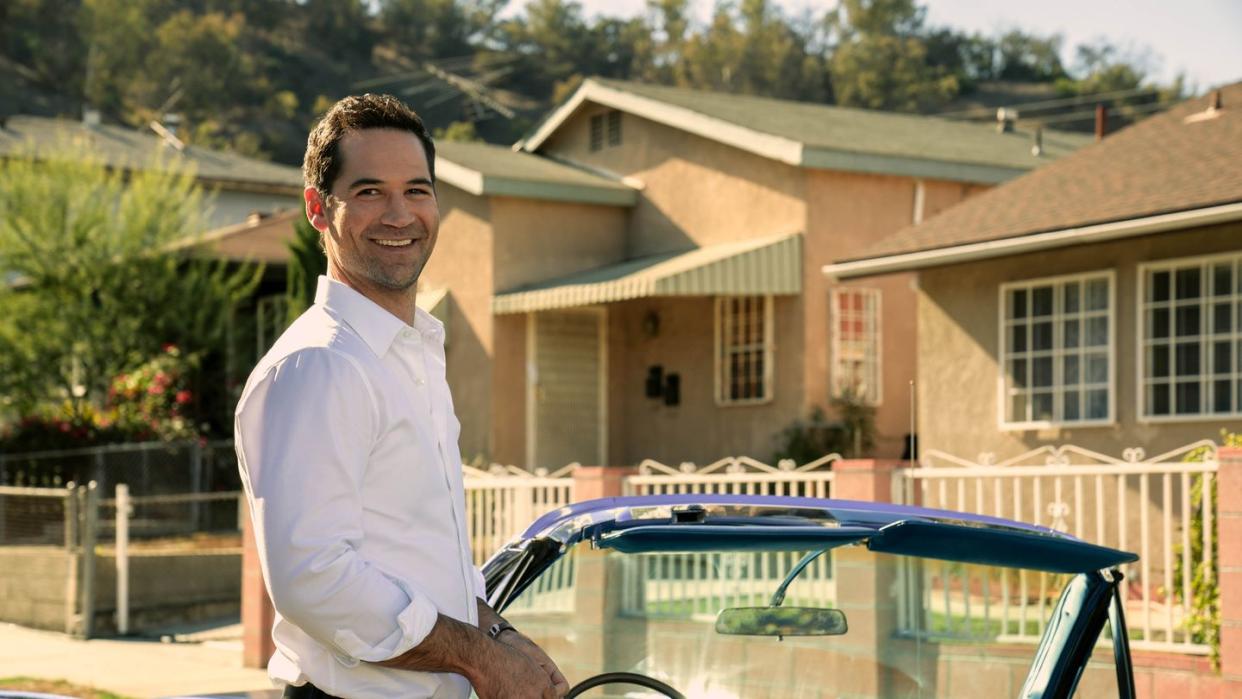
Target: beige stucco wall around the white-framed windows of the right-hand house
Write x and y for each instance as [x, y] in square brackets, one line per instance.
[958, 348]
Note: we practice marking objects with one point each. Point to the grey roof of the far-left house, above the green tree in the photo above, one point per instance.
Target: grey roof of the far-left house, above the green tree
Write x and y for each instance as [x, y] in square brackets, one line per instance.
[132, 150]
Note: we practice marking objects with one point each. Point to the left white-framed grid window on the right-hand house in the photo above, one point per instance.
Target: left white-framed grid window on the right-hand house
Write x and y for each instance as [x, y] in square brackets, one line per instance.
[1058, 351]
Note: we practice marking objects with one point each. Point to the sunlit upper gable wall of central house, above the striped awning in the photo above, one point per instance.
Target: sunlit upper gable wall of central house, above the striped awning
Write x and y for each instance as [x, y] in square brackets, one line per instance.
[695, 192]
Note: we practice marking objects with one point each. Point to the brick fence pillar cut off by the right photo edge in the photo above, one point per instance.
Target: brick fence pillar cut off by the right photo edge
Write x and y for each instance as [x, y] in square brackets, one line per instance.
[1229, 532]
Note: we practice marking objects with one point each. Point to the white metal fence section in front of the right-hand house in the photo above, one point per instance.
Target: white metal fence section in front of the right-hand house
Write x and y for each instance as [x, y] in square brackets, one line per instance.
[1132, 503]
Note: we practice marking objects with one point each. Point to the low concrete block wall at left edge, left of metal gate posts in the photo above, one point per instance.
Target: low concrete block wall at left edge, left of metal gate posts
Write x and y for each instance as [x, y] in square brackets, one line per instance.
[35, 587]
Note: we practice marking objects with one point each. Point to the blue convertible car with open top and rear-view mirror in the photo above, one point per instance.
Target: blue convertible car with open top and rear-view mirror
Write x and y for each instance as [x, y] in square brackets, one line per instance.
[757, 597]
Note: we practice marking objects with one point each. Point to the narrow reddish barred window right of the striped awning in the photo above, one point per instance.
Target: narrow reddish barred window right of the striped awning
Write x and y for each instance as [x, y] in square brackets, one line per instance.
[856, 351]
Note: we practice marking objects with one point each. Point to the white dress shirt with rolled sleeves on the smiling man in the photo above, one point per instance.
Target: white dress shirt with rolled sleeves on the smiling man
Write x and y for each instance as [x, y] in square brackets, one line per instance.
[347, 445]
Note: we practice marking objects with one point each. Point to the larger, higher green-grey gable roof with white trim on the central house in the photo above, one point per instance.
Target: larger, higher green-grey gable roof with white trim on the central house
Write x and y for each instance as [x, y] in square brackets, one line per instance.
[820, 136]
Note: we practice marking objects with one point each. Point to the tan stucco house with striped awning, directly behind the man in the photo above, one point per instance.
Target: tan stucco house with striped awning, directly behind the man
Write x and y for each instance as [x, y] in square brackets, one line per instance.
[640, 277]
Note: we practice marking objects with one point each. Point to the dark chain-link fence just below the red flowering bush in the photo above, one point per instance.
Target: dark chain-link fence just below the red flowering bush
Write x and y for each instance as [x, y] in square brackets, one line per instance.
[152, 469]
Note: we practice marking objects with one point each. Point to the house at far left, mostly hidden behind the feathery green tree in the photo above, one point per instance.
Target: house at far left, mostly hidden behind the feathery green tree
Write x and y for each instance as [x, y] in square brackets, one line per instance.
[240, 186]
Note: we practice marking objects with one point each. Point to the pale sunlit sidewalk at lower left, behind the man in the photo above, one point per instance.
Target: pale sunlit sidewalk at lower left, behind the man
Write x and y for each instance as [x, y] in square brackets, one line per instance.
[207, 662]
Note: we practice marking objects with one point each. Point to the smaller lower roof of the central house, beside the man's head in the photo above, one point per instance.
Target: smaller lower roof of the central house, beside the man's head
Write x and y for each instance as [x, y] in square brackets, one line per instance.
[492, 171]
